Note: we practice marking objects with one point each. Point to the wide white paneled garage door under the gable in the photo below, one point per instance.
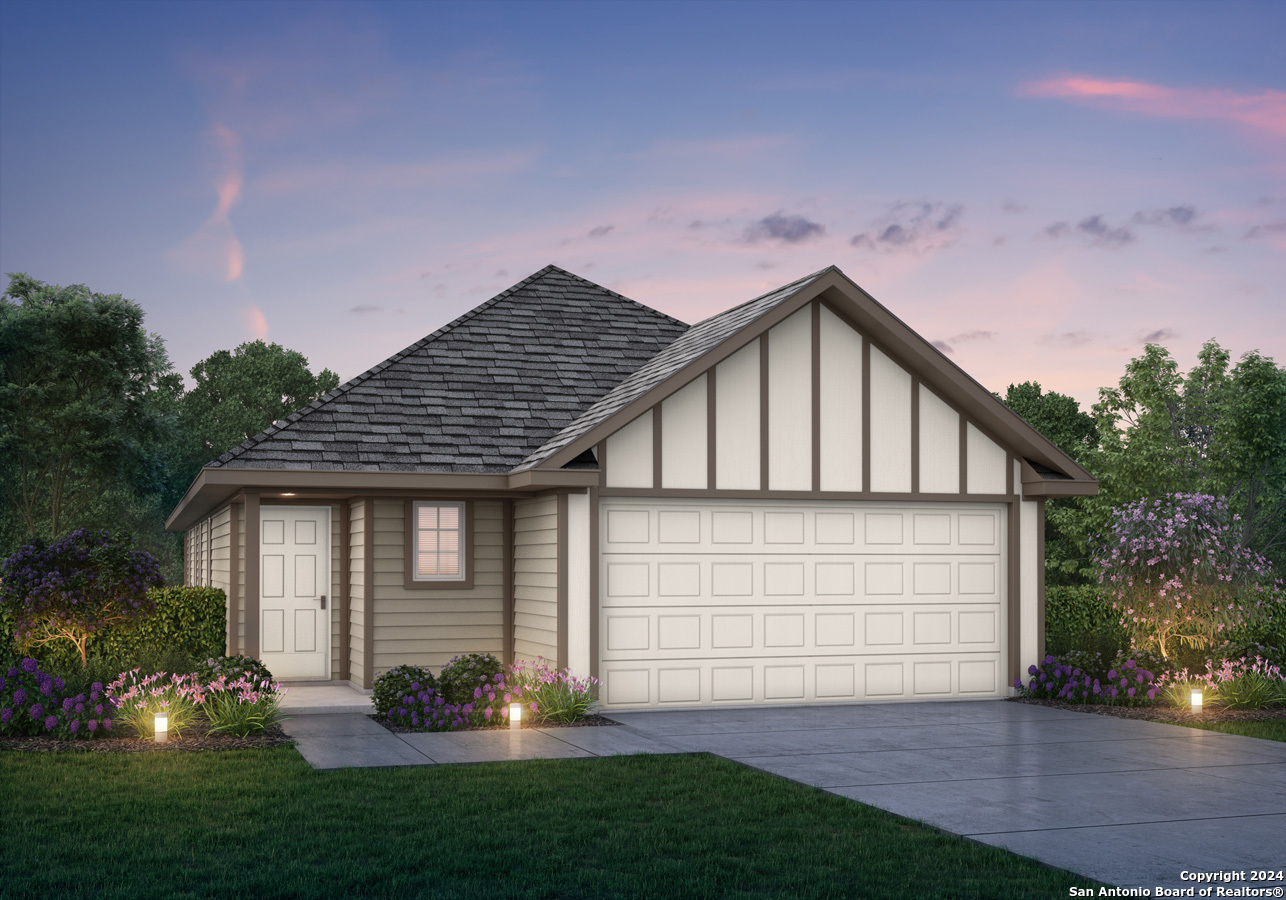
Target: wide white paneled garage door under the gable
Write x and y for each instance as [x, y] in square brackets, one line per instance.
[771, 602]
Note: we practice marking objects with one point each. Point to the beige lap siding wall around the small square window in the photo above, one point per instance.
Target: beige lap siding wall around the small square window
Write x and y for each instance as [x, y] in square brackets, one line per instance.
[428, 628]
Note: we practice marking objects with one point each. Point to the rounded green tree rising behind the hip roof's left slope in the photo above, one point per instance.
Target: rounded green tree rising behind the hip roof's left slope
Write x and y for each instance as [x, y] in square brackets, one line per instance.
[242, 393]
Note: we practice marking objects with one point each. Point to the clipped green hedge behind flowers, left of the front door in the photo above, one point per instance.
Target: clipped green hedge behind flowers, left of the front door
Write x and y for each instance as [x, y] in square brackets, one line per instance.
[191, 620]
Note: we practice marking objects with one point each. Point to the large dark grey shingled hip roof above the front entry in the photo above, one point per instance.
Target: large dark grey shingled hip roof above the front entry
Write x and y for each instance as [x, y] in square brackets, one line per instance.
[479, 394]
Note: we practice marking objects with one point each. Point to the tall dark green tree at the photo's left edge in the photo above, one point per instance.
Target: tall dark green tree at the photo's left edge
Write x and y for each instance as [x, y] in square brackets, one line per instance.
[79, 420]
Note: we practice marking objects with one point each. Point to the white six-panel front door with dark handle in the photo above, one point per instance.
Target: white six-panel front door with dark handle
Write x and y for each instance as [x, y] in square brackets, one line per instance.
[294, 595]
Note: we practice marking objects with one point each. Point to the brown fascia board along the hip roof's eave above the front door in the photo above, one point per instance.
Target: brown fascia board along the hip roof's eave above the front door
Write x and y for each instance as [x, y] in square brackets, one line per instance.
[218, 485]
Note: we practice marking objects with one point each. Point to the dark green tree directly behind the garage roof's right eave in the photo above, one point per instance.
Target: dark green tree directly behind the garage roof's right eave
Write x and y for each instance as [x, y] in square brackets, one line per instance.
[1059, 418]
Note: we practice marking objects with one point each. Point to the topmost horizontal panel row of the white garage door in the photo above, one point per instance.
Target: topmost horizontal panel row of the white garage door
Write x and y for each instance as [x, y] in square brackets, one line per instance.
[680, 528]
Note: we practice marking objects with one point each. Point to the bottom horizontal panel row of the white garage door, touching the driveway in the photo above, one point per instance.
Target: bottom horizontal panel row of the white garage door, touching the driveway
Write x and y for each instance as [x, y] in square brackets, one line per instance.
[744, 681]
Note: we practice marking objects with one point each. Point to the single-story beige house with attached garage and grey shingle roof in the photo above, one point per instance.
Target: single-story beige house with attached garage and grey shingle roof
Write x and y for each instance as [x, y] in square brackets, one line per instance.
[797, 501]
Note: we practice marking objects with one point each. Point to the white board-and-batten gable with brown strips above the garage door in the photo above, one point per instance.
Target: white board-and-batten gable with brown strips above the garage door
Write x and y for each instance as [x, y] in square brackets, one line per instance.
[811, 406]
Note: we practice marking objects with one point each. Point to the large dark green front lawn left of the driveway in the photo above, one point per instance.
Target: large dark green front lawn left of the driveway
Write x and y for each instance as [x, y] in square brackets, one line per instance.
[264, 825]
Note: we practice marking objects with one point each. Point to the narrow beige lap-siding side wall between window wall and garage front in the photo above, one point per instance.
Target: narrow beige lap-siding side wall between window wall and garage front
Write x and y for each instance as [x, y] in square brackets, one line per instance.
[536, 578]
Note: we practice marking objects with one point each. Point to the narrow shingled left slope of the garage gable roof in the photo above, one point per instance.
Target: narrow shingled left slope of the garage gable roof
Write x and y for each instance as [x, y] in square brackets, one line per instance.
[696, 341]
